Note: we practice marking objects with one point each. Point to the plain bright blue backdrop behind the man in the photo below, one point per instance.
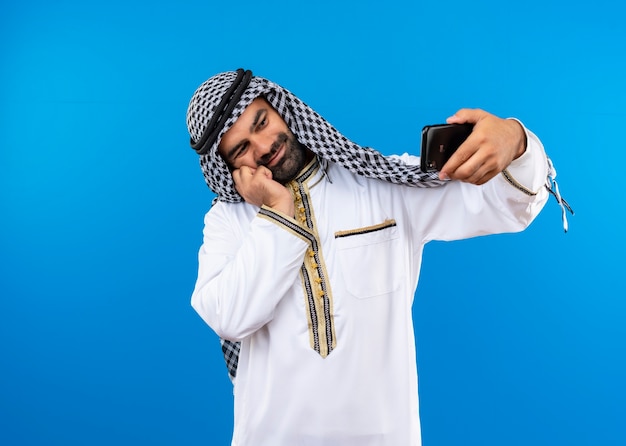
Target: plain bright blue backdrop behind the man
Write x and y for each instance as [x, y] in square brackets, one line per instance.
[521, 338]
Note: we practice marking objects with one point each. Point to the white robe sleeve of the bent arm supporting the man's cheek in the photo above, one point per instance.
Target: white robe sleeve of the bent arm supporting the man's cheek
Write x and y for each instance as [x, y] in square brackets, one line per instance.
[237, 261]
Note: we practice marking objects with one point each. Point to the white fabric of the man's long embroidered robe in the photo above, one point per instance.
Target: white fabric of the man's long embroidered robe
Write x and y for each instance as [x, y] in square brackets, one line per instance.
[249, 289]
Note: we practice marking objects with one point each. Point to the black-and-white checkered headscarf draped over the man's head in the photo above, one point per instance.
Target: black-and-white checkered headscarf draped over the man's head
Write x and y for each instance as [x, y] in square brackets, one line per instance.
[210, 101]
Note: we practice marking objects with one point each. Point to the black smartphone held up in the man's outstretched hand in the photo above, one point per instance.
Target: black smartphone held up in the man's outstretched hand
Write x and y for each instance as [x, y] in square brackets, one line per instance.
[439, 142]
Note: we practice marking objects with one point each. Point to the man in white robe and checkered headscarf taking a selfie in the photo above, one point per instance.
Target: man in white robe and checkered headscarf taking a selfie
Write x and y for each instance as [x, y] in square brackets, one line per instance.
[312, 252]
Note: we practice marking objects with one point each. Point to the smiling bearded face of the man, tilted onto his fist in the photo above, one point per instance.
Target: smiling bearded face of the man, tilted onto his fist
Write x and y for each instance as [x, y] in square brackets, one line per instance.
[260, 137]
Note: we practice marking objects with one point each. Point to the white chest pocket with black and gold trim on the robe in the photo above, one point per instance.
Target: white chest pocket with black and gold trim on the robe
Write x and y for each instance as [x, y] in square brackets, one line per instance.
[370, 259]
